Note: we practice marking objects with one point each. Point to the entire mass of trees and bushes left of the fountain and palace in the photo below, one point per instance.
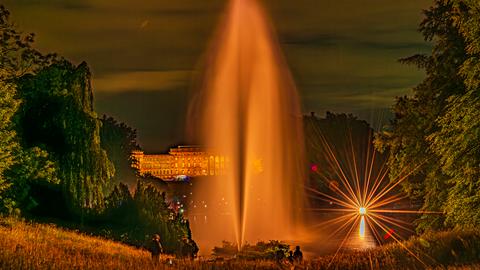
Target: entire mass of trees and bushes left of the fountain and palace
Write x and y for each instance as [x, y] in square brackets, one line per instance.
[59, 161]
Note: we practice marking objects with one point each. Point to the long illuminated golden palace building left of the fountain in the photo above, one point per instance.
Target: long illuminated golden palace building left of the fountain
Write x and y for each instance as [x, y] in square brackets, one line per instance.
[180, 163]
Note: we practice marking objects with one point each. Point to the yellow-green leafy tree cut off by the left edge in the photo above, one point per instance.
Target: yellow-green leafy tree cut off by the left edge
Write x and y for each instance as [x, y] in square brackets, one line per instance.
[19, 165]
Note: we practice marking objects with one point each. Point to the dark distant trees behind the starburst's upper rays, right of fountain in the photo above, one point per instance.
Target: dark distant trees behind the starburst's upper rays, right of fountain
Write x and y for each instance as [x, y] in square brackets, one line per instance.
[344, 139]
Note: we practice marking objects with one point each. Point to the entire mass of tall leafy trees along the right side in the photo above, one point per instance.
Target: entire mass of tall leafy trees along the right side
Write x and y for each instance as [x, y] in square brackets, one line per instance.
[436, 131]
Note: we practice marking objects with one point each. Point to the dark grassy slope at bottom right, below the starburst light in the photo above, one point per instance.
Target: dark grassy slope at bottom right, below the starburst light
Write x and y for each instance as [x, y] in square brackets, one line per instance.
[438, 250]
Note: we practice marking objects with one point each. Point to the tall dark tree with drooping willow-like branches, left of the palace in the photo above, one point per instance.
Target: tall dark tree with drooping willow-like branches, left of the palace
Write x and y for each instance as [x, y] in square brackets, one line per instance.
[57, 115]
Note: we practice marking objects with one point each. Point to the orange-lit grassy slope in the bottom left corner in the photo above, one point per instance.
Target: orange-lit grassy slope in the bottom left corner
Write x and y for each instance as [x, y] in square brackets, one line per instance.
[34, 246]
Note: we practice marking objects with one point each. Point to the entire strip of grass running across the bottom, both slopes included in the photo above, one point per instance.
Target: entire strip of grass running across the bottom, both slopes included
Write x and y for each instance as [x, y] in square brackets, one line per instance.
[36, 246]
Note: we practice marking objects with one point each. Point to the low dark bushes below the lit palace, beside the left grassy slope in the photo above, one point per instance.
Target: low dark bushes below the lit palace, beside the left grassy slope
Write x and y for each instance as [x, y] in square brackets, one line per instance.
[134, 219]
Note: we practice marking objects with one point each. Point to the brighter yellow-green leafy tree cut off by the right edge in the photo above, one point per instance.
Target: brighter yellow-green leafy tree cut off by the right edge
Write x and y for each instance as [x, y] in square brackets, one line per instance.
[456, 142]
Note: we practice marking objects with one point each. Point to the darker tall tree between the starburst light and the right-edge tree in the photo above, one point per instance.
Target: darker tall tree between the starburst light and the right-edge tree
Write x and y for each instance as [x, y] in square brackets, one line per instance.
[407, 139]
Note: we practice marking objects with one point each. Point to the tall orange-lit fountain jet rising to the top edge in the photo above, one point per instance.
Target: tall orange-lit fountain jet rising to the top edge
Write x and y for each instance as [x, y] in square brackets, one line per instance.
[247, 109]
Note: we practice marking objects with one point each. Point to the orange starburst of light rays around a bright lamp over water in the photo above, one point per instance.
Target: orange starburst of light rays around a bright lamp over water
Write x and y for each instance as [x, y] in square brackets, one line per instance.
[363, 195]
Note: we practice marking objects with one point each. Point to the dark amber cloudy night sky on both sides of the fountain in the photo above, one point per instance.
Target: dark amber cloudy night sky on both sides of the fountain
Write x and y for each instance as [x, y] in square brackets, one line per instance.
[144, 53]
